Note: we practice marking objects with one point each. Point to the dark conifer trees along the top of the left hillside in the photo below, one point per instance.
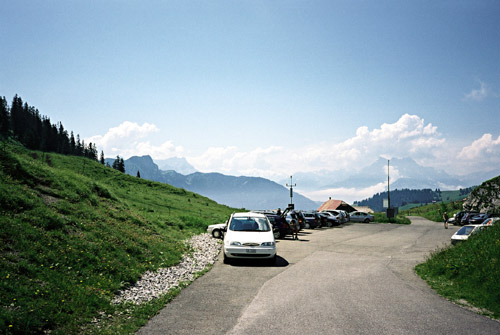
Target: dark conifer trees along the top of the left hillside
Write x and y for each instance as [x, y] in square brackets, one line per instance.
[25, 124]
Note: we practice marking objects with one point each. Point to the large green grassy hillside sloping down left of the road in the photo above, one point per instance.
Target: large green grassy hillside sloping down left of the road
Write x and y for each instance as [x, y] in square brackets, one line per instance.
[73, 232]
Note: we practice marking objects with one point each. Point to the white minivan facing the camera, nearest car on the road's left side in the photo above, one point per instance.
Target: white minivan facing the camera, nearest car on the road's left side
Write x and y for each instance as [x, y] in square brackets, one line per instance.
[249, 236]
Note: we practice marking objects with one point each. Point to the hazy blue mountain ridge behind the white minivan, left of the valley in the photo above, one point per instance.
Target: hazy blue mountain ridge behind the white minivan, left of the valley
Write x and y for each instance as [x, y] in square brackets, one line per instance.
[238, 192]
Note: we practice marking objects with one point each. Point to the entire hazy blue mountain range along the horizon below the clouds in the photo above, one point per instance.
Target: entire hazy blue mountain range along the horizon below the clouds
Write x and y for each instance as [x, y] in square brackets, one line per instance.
[261, 193]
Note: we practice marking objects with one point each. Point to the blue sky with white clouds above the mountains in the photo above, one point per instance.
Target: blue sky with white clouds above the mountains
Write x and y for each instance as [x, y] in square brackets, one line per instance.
[264, 88]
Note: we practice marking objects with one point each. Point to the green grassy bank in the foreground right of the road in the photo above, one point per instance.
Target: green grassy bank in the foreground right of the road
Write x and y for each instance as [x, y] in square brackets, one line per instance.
[468, 273]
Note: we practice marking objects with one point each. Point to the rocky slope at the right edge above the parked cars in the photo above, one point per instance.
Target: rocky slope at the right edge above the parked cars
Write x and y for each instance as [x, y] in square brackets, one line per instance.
[485, 198]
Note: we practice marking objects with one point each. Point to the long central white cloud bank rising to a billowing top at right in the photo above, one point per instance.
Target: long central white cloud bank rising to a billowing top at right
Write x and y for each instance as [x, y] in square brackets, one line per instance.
[410, 134]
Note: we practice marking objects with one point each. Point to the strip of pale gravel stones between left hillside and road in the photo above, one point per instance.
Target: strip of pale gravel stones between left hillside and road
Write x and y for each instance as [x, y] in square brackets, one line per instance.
[154, 284]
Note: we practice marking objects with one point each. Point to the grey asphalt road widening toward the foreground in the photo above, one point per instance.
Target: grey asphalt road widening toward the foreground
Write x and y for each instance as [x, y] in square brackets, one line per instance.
[353, 279]
